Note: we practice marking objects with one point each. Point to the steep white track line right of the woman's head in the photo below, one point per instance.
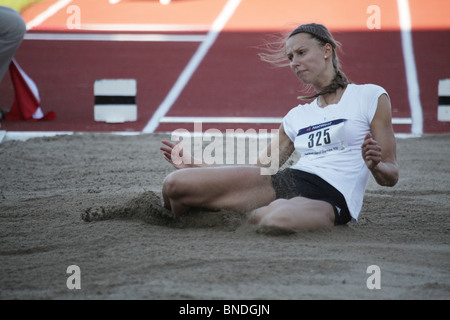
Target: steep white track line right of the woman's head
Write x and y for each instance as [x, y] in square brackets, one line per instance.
[410, 67]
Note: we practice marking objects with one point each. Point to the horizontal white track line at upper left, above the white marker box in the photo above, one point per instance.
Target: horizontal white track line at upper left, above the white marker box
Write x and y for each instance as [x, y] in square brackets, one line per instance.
[115, 37]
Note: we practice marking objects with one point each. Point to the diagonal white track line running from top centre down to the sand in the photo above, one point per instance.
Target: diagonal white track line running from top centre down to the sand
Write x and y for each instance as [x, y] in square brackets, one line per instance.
[192, 66]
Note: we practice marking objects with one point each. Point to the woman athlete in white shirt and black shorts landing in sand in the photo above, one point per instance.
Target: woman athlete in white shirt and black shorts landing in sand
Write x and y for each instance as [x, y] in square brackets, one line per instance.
[344, 135]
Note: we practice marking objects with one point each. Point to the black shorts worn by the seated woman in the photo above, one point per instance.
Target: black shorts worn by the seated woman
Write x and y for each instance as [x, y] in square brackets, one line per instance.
[290, 183]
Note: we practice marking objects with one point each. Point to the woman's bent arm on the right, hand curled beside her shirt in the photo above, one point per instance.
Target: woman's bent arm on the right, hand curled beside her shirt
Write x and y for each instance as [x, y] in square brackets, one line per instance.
[379, 149]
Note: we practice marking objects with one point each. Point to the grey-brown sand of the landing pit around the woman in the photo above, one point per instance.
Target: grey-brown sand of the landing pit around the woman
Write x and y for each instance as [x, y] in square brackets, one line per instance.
[93, 200]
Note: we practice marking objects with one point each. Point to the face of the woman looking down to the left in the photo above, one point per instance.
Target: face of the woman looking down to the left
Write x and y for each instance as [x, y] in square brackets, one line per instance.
[306, 58]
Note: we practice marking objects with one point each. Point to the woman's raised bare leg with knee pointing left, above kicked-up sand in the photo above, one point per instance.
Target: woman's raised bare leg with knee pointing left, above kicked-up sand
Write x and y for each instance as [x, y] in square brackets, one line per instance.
[240, 189]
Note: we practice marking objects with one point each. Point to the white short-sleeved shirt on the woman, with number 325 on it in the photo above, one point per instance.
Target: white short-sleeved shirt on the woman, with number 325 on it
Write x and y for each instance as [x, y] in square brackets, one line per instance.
[329, 140]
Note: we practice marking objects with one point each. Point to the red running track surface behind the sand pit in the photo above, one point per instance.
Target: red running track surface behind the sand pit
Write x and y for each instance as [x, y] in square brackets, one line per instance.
[231, 81]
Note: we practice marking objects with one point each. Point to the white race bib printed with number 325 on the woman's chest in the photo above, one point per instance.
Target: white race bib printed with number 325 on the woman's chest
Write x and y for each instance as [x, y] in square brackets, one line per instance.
[321, 139]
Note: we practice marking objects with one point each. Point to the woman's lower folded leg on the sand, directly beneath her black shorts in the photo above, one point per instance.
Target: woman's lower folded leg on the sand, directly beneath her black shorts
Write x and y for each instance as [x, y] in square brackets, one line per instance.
[296, 214]
